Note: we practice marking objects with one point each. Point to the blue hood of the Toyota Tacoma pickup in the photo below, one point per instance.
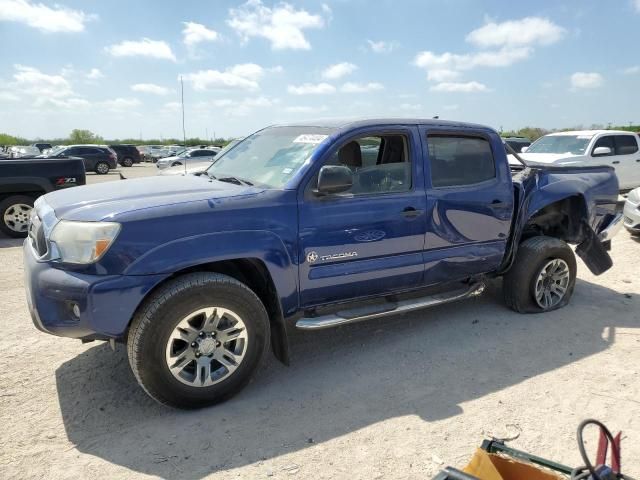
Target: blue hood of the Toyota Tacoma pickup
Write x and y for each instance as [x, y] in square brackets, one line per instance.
[107, 200]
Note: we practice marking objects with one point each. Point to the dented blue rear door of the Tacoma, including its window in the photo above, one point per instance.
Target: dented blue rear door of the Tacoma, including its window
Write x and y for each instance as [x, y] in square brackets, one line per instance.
[469, 203]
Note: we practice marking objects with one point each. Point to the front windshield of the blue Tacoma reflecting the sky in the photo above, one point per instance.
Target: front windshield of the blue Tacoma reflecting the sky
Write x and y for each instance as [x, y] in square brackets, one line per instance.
[271, 156]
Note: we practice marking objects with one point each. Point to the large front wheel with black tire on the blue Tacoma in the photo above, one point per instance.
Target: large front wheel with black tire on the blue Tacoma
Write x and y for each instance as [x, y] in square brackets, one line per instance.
[154, 335]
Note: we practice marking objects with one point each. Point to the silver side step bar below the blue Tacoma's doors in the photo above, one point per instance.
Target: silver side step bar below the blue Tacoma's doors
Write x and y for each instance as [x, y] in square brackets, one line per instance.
[359, 314]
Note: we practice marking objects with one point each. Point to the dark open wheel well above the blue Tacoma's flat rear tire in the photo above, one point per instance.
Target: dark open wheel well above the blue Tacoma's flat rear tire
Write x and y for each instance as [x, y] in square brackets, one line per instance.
[564, 219]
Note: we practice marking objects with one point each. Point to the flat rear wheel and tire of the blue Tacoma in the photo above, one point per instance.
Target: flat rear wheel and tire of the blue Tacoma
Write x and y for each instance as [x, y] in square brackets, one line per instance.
[526, 278]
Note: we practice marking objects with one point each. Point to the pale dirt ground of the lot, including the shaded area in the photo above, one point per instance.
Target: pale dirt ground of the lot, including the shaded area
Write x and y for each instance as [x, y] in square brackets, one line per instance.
[396, 398]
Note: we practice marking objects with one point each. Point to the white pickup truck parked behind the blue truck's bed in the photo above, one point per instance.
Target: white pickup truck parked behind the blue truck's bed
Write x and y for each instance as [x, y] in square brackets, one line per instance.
[591, 147]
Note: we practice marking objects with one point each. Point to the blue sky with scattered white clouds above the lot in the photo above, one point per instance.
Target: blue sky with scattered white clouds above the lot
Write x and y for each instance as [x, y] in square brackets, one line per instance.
[114, 66]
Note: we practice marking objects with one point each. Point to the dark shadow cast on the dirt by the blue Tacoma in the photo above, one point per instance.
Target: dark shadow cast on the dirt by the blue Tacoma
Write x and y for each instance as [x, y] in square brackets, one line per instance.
[424, 364]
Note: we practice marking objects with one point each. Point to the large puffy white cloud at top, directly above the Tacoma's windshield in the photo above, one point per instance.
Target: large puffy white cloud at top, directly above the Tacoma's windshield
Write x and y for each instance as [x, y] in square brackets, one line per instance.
[282, 25]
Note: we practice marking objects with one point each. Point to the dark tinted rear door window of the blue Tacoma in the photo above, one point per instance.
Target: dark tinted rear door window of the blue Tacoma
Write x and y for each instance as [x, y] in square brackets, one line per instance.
[457, 161]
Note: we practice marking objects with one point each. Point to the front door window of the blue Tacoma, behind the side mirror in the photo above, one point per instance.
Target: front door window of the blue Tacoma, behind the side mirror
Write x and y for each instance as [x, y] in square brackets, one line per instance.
[380, 164]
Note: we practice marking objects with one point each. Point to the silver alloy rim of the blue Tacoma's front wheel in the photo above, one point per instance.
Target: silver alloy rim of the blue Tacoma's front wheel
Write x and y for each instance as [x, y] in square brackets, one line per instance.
[206, 346]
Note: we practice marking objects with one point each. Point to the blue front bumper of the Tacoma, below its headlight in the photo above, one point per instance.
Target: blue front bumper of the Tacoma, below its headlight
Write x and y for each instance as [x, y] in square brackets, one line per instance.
[106, 302]
